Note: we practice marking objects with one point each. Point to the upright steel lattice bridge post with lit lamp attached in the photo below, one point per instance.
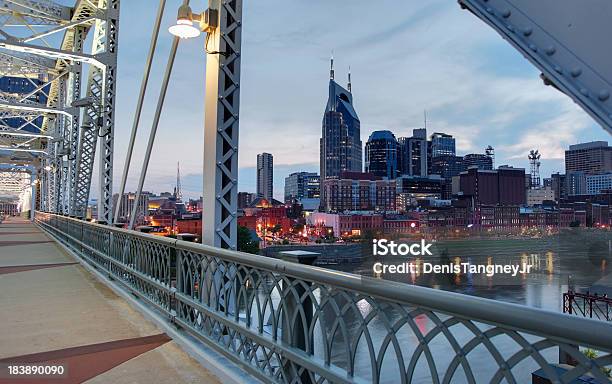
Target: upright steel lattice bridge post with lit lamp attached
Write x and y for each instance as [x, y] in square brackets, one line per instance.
[222, 22]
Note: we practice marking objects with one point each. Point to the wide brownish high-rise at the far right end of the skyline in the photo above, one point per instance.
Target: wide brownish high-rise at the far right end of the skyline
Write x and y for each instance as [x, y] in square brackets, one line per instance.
[590, 158]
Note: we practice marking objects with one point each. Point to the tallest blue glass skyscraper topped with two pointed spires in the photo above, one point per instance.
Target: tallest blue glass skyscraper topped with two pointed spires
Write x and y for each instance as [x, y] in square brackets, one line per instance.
[340, 145]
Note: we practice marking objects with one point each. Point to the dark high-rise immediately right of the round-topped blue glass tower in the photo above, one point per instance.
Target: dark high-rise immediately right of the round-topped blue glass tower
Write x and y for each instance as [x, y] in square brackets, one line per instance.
[414, 154]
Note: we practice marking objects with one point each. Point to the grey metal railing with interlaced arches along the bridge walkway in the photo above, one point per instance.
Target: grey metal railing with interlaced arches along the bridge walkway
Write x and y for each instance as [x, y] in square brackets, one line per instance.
[292, 323]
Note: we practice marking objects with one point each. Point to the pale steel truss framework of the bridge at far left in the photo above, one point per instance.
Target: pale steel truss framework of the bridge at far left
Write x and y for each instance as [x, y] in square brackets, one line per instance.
[53, 126]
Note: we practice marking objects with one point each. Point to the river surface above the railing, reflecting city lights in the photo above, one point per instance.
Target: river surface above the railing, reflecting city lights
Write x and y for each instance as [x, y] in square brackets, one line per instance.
[579, 258]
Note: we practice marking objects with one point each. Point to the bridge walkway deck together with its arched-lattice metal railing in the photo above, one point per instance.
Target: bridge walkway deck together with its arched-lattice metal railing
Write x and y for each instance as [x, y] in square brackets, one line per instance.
[151, 309]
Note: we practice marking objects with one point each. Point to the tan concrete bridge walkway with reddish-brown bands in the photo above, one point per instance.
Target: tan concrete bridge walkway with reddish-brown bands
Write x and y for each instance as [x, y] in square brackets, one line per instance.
[61, 314]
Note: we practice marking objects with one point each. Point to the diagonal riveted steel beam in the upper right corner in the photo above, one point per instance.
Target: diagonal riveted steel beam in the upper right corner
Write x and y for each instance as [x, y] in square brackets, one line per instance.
[567, 40]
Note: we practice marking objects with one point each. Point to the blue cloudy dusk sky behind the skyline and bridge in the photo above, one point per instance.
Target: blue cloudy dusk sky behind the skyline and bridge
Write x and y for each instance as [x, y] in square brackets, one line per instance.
[406, 56]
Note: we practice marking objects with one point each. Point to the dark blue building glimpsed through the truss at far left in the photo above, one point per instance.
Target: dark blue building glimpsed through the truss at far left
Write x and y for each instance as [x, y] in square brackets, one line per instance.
[20, 86]
